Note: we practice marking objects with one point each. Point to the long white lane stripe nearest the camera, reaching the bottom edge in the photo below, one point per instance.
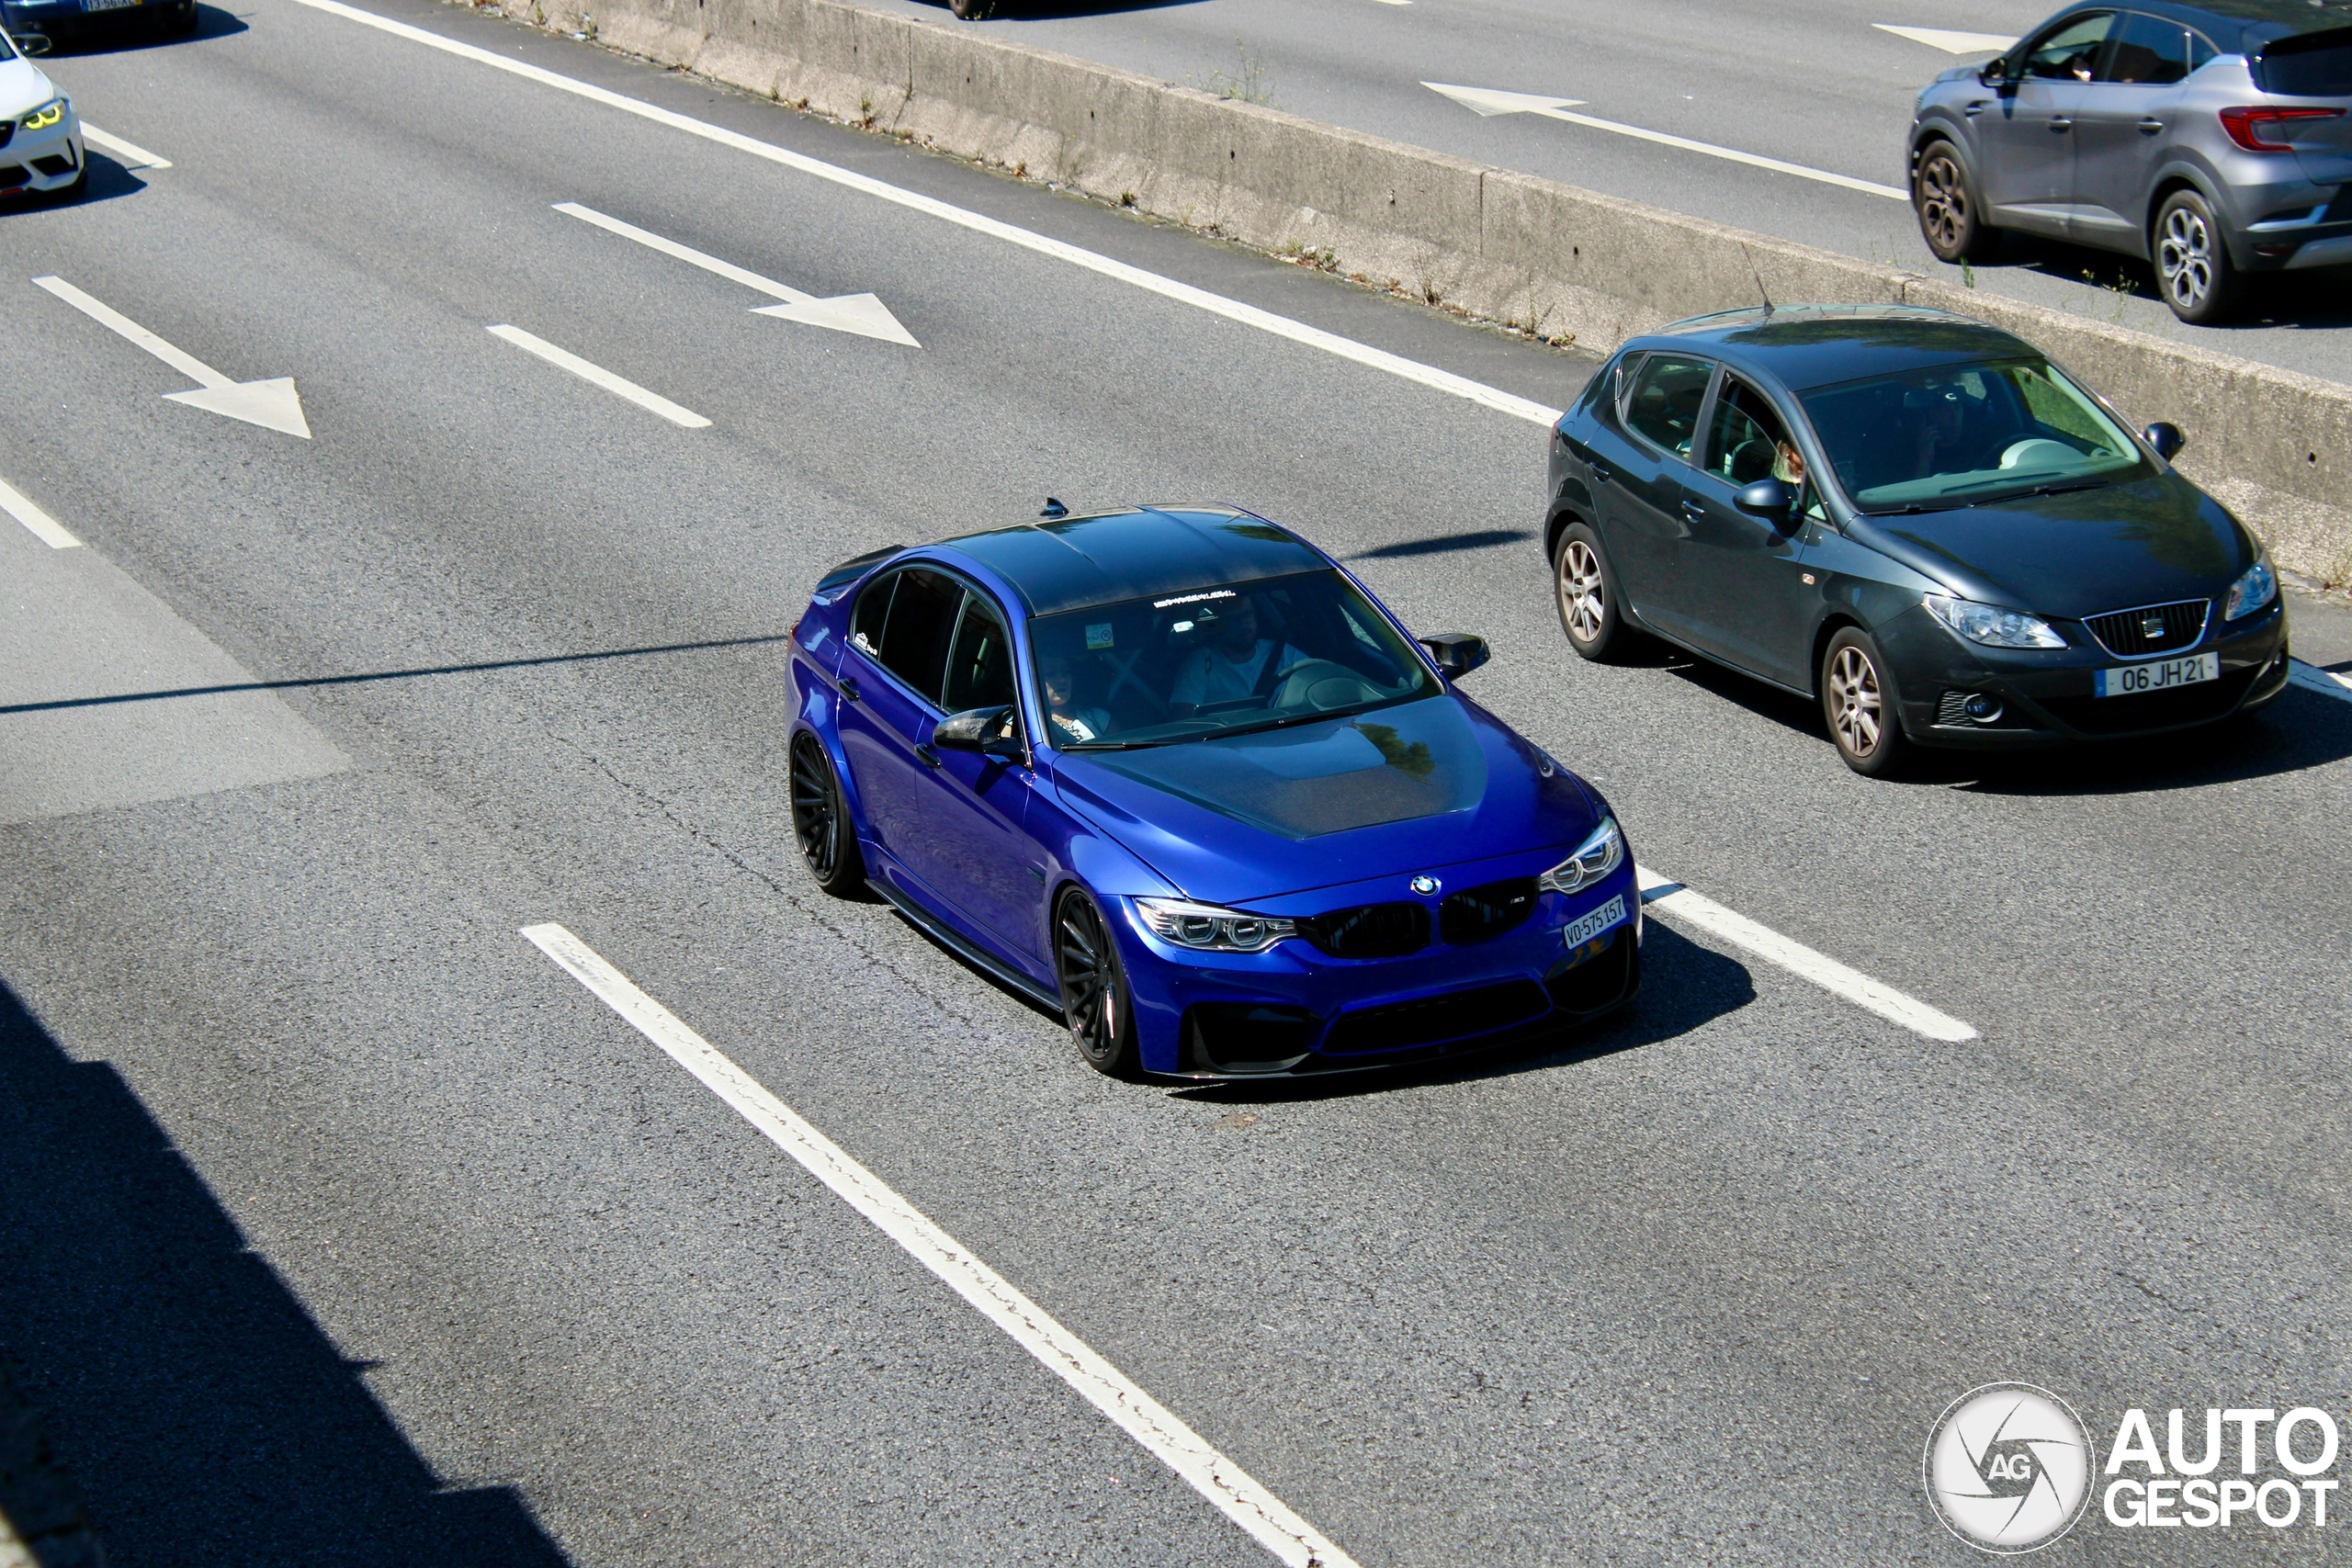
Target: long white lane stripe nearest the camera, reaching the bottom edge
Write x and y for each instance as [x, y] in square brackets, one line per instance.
[1069, 1358]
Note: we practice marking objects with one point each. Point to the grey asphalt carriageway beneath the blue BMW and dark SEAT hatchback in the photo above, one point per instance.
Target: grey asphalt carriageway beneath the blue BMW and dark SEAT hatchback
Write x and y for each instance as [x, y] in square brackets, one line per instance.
[347, 1228]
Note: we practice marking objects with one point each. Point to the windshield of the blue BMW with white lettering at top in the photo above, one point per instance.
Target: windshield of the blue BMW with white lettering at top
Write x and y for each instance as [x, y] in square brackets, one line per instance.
[1220, 659]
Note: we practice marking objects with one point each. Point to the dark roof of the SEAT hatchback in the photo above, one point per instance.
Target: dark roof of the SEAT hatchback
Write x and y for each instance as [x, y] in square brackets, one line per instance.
[1808, 347]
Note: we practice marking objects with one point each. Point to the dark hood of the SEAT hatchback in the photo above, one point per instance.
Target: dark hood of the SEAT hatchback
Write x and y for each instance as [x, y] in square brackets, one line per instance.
[2078, 554]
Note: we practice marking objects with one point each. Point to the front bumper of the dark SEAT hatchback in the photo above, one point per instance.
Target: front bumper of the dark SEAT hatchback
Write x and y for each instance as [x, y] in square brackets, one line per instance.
[2047, 695]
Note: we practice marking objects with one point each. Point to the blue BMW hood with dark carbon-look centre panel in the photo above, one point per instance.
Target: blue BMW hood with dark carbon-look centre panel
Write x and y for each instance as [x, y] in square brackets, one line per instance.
[1283, 812]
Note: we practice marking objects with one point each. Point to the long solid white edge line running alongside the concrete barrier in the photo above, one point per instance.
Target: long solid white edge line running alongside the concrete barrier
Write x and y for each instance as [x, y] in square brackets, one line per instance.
[1168, 288]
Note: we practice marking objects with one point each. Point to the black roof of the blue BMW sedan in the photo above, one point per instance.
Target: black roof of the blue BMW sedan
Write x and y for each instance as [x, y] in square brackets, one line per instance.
[1069, 563]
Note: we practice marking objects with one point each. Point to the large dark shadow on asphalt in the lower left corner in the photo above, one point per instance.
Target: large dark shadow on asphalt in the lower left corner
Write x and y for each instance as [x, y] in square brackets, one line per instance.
[206, 1416]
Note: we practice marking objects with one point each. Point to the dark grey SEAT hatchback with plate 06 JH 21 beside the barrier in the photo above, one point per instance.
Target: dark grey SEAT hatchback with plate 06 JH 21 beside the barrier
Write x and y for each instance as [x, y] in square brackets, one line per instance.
[1913, 518]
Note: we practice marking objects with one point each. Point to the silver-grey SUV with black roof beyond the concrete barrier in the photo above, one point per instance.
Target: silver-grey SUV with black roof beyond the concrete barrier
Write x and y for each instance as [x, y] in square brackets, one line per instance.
[2210, 140]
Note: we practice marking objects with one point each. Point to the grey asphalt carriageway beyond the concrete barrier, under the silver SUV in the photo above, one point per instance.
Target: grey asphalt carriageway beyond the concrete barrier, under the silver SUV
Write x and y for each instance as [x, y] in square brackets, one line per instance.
[1815, 83]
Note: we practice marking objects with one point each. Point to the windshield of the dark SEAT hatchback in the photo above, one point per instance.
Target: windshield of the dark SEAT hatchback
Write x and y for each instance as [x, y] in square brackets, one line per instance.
[1967, 434]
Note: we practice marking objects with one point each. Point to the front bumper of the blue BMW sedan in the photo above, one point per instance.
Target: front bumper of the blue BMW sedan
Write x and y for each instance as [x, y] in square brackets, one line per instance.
[1297, 1012]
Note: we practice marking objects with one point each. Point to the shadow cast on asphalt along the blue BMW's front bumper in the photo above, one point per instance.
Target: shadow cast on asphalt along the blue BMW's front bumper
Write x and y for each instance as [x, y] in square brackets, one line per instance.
[1683, 989]
